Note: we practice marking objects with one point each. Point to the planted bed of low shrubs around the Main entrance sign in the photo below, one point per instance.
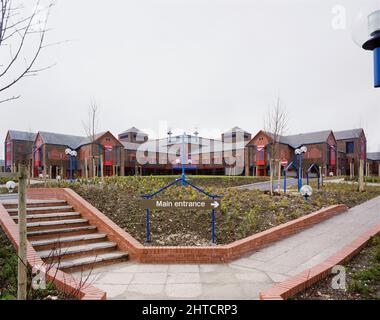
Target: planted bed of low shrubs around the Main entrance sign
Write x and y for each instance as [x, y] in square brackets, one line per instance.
[242, 213]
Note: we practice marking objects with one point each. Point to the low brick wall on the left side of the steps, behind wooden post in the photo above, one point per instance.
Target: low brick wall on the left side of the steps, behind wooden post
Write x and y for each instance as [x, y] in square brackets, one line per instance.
[63, 281]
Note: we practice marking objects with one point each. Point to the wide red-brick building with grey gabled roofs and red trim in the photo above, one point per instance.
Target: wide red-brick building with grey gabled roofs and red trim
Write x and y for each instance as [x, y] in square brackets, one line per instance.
[236, 153]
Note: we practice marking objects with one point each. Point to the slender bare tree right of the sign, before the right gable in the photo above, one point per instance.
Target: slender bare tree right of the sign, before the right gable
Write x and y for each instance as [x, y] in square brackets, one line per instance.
[275, 125]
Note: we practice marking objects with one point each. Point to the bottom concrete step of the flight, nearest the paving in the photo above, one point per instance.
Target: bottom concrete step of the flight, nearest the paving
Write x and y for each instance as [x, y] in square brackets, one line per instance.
[90, 262]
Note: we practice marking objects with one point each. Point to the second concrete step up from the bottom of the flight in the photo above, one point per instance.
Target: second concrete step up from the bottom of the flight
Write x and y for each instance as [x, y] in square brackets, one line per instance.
[75, 251]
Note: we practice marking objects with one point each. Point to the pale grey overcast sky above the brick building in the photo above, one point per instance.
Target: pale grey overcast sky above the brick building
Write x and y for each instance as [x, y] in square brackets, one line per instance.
[210, 64]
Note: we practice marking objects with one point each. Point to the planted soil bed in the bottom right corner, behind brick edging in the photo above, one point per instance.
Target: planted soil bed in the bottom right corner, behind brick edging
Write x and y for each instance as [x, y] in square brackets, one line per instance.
[362, 282]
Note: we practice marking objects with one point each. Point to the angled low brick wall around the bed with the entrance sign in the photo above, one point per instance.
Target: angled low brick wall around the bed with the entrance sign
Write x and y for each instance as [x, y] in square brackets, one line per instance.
[212, 254]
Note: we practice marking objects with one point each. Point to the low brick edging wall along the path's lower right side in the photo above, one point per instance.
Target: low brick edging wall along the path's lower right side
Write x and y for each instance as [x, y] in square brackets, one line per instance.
[305, 279]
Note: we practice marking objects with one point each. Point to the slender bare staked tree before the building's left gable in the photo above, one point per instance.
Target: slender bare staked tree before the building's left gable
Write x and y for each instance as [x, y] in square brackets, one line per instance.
[90, 127]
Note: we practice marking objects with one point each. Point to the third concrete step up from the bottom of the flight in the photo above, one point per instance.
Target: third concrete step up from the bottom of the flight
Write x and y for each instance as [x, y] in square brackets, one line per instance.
[61, 242]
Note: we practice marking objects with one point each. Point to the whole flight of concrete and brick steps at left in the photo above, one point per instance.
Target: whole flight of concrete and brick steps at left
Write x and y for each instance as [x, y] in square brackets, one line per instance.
[63, 238]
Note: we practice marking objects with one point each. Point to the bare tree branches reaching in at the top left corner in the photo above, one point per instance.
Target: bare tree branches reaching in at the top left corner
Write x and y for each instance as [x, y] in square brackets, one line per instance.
[21, 28]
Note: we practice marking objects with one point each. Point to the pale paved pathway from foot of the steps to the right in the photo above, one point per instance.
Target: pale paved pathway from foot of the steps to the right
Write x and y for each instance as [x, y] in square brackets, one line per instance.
[244, 278]
